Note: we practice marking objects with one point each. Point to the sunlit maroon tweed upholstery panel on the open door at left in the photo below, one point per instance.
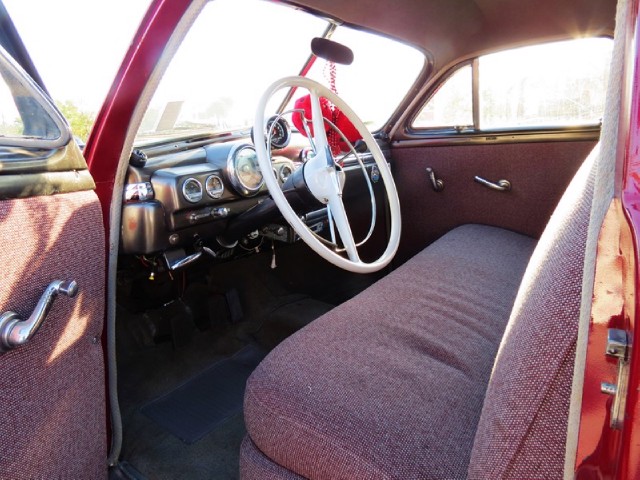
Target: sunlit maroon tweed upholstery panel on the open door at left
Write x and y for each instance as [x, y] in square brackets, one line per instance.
[52, 389]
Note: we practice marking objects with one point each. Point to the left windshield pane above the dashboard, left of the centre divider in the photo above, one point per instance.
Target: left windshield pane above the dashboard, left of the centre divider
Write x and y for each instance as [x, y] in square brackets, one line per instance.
[231, 54]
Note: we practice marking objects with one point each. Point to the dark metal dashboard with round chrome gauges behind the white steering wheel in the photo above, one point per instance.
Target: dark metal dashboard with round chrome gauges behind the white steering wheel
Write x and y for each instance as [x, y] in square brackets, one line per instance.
[186, 193]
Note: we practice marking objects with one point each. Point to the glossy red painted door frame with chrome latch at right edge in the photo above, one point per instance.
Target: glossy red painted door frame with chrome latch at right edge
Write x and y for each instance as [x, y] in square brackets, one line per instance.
[605, 452]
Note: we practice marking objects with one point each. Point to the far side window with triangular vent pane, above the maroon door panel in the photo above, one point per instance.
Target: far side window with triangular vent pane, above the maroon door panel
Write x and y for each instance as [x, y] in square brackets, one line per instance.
[550, 85]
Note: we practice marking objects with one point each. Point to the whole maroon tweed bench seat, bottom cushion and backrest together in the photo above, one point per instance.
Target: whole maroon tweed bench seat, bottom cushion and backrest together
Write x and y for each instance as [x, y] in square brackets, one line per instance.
[422, 376]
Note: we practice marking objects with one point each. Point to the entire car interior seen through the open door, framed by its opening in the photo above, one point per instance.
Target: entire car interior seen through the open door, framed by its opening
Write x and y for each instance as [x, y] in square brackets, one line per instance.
[357, 239]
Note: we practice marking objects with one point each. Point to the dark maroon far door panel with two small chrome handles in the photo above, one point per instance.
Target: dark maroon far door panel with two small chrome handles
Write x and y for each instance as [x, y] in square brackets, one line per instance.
[538, 172]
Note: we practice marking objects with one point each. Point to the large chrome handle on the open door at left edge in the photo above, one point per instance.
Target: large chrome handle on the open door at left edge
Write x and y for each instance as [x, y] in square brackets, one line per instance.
[15, 332]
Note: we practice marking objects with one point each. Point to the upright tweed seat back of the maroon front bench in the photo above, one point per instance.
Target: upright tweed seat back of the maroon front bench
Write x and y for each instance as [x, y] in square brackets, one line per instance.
[522, 428]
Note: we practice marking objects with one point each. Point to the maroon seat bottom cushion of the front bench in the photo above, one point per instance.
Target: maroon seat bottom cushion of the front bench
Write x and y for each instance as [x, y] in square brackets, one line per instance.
[391, 383]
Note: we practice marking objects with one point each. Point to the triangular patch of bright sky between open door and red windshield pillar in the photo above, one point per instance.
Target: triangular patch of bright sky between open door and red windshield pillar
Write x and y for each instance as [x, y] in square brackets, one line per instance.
[94, 36]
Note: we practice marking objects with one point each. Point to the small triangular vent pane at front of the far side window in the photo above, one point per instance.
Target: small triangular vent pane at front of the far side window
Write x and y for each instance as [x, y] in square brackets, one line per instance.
[451, 106]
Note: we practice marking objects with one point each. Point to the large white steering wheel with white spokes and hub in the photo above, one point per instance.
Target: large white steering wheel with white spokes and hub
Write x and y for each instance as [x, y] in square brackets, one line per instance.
[323, 179]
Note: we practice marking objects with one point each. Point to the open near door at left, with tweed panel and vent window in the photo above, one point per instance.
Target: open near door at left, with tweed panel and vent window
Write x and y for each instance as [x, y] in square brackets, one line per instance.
[52, 387]
